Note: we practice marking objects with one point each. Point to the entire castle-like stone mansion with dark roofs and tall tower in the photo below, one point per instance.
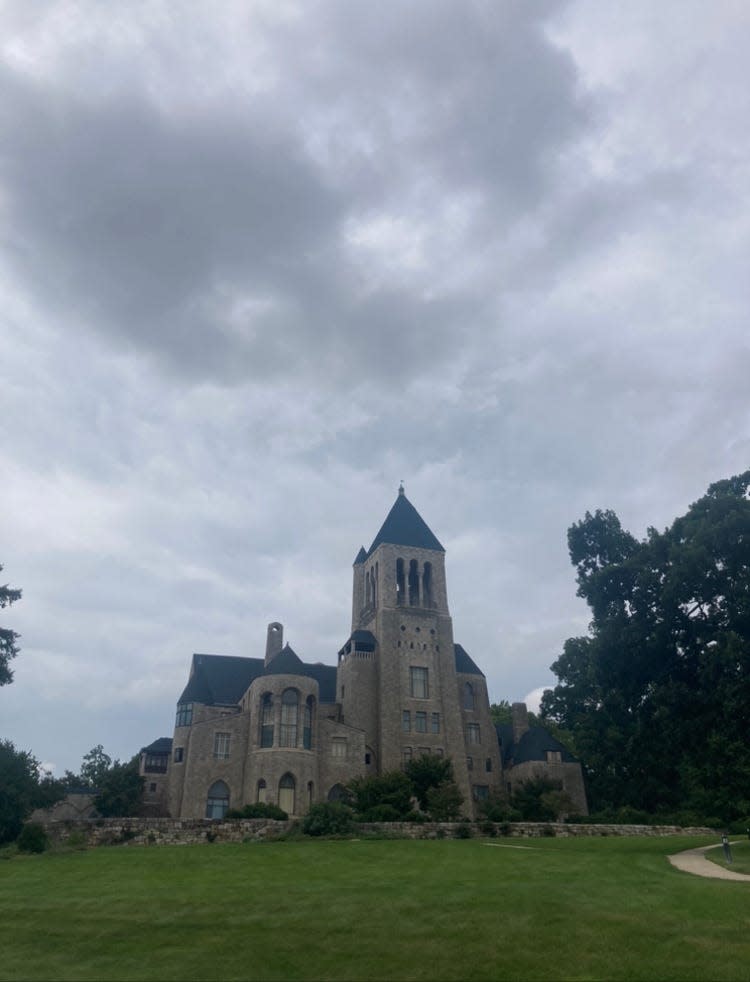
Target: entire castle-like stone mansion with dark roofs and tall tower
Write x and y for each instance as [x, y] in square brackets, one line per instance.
[280, 730]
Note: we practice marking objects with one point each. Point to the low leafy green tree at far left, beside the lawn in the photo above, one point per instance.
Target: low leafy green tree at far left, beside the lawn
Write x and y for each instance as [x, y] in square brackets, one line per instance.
[23, 787]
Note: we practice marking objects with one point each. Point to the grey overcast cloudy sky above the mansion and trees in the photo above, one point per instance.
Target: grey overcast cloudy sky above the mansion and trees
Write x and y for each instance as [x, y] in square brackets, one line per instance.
[260, 261]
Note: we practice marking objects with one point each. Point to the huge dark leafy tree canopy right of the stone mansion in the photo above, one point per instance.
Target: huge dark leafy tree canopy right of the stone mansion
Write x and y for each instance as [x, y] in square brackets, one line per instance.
[658, 694]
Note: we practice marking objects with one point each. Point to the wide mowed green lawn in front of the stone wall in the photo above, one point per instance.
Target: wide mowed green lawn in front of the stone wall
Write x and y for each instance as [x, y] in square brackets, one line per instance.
[601, 908]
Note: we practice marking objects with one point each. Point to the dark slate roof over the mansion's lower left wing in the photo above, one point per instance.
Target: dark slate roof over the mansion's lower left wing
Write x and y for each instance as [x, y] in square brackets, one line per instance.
[223, 679]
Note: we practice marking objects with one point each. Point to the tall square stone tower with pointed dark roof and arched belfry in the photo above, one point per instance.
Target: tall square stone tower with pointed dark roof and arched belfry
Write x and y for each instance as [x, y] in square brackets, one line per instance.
[397, 671]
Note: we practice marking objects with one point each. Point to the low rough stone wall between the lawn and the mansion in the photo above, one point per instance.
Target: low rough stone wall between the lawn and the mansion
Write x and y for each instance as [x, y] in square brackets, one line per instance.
[168, 831]
